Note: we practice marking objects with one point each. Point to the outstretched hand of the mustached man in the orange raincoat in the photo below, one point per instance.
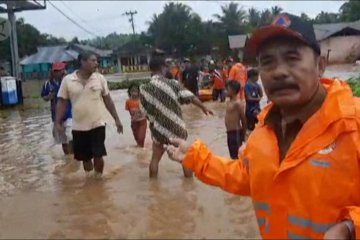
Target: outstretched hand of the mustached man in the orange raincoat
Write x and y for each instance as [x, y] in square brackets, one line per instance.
[177, 149]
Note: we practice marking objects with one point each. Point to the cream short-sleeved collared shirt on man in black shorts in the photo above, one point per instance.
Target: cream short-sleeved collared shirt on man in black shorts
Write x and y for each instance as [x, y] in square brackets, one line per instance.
[86, 97]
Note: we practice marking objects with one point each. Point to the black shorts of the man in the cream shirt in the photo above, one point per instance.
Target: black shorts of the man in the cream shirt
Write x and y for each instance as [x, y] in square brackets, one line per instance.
[89, 144]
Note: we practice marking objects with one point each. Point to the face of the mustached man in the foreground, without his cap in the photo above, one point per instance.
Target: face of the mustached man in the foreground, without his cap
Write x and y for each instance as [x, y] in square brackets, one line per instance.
[290, 71]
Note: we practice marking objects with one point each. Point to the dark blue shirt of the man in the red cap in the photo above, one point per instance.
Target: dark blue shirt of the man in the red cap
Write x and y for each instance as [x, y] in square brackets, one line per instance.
[54, 86]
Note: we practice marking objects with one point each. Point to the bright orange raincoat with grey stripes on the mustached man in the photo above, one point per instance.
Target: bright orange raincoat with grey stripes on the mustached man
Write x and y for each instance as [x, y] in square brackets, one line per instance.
[315, 186]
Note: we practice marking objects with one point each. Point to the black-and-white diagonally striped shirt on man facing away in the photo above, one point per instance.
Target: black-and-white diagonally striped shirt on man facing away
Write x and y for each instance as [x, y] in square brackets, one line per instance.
[161, 100]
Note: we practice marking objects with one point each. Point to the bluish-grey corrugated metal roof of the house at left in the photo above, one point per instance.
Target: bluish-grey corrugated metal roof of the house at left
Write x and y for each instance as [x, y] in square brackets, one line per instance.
[50, 55]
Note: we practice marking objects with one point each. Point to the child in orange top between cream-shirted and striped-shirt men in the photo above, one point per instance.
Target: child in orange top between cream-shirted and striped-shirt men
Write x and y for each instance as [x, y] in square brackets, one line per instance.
[138, 118]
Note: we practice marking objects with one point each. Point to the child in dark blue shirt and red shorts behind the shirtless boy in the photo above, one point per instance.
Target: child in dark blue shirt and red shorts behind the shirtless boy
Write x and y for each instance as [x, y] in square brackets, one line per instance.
[253, 95]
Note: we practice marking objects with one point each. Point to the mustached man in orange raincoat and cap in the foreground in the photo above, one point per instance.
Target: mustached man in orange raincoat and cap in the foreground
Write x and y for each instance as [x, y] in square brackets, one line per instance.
[301, 164]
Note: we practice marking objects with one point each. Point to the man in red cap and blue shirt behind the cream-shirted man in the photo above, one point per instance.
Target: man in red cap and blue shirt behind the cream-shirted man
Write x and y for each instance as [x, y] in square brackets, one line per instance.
[49, 92]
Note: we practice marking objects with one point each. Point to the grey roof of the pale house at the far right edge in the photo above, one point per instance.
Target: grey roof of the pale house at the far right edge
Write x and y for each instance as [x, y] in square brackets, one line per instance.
[323, 31]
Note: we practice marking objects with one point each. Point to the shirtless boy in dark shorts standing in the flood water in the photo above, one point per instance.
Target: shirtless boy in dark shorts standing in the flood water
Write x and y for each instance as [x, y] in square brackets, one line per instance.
[235, 120]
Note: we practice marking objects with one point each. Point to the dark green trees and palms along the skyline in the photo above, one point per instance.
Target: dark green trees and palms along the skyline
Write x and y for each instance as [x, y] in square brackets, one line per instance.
[180, 31]
